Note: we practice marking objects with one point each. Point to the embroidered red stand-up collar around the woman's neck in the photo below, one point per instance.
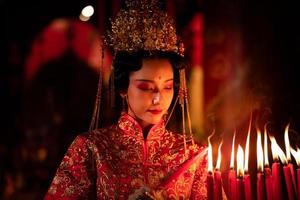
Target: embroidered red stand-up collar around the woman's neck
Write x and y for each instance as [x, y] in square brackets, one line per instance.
[131, 127]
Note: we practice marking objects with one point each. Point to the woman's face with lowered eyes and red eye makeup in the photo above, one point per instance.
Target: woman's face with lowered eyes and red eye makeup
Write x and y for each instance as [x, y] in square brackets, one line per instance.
[150, 91]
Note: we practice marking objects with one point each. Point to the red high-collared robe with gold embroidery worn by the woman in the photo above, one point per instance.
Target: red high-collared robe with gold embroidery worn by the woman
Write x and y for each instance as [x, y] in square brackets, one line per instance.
[118, 163]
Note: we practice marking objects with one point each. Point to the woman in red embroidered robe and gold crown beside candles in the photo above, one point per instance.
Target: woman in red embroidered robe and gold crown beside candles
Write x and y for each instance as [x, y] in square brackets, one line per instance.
[136, 158]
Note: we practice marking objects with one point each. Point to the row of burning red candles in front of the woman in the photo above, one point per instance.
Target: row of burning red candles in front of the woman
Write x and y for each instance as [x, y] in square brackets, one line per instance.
[277, 182]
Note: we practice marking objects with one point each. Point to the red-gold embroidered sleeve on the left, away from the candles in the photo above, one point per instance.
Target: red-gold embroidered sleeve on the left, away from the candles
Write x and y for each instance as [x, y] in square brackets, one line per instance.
[73, 179]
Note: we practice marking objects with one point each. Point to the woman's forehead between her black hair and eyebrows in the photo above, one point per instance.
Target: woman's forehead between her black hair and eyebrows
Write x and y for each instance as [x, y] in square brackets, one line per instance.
[154, 68]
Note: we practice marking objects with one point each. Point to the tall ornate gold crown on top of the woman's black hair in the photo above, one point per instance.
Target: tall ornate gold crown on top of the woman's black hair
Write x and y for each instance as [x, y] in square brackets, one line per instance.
[144, 26]
